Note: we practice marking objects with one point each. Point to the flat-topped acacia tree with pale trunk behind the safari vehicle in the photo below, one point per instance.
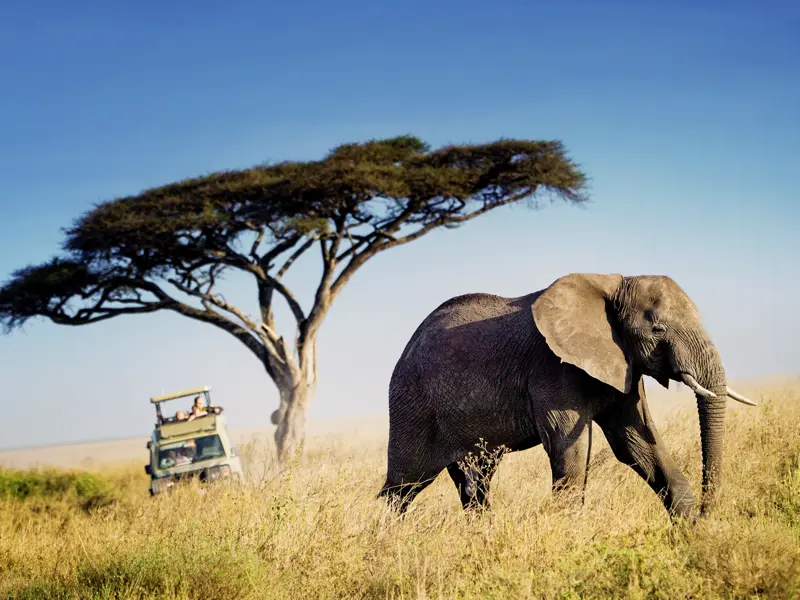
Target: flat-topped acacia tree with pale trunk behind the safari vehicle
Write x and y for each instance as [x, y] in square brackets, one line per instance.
[166, 248]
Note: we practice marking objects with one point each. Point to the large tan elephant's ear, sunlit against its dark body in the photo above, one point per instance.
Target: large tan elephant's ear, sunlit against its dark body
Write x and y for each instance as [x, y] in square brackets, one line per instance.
[571, 314]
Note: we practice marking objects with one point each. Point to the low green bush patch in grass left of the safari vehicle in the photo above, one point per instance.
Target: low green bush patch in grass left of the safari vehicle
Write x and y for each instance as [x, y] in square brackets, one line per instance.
[85, 490]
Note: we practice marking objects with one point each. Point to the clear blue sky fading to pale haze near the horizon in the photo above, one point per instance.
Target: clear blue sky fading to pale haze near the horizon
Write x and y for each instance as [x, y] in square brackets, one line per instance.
[684, 116]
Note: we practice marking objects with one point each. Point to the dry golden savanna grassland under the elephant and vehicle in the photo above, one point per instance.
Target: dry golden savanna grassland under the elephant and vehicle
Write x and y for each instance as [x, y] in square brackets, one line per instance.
[317, 530]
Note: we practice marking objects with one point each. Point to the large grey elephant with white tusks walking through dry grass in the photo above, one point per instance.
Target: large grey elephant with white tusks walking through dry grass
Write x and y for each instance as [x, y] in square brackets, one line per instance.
[513, 373]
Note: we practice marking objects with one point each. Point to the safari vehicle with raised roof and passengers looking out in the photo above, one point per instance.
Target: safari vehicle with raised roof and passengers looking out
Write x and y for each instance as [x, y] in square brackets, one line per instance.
[182, 448]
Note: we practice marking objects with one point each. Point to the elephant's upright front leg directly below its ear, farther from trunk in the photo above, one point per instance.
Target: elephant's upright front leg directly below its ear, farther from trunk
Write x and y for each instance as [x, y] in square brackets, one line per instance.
[566, 436]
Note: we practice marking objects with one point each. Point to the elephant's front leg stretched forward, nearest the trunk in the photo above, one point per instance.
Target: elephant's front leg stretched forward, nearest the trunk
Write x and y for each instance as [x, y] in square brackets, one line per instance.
[633, 438]
